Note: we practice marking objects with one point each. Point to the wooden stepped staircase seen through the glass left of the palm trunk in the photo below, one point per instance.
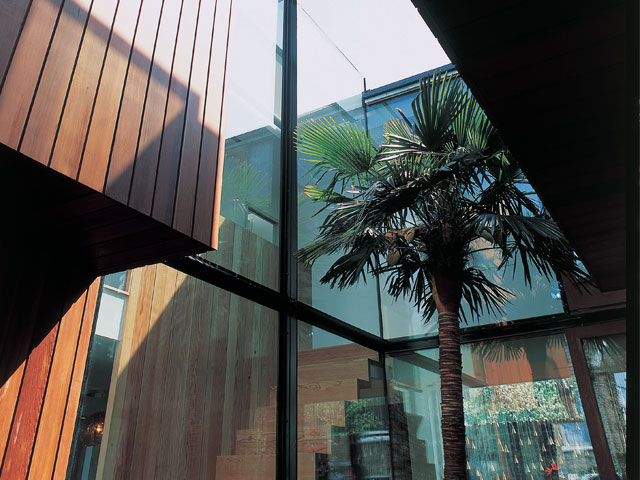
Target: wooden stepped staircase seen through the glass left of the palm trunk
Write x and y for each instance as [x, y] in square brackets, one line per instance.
[328, 379]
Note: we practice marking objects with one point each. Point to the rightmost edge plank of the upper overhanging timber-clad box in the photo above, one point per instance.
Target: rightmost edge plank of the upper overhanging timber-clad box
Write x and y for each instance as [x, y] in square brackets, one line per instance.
[212, 145]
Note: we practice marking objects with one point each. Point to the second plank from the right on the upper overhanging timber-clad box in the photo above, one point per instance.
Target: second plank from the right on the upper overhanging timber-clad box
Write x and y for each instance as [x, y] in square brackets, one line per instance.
[190, 155]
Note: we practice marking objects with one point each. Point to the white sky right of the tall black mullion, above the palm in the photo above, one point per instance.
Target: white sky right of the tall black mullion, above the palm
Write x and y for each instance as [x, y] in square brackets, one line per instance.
[383, 40]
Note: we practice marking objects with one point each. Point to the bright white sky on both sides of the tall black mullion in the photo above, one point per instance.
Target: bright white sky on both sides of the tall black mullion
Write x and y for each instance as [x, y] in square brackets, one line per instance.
[383, 40]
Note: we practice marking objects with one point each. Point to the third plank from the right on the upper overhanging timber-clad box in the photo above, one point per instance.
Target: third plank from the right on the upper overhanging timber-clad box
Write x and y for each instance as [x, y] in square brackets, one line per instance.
[179, 92]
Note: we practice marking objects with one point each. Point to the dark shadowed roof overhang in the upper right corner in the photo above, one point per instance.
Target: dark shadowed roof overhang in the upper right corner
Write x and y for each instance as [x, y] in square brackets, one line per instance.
[552, 78]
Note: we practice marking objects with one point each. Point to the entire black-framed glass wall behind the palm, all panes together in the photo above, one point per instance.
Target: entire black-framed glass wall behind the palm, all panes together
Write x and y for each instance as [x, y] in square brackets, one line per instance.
[181, 377]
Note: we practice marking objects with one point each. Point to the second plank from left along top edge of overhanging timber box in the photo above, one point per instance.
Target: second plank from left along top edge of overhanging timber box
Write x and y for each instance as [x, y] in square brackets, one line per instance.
[23, 74]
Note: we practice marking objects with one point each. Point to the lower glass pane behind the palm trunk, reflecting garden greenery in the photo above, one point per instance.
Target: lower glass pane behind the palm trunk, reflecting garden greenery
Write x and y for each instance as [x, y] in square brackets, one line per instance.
[523, 414]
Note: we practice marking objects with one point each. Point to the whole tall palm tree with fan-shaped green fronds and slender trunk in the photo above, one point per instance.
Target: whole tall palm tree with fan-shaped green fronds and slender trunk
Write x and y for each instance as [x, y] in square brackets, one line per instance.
[418, 209]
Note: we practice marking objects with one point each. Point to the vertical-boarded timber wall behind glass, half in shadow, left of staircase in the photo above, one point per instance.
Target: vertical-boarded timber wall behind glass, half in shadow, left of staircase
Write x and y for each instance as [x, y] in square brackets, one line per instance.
[193, 366]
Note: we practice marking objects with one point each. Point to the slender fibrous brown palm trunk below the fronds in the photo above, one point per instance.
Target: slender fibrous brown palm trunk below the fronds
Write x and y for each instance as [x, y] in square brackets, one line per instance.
[447, 291]
